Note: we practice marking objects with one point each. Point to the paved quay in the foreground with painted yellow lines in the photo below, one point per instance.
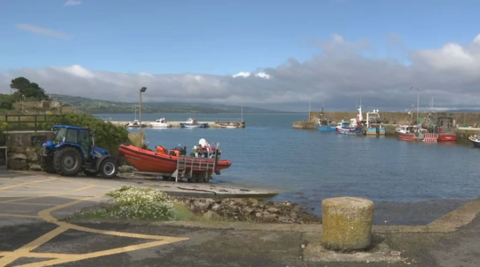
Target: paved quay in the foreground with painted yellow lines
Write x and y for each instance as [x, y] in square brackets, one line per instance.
[33, 233]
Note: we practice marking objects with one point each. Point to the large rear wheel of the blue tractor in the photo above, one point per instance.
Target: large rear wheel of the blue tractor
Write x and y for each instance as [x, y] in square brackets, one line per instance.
[67, 161]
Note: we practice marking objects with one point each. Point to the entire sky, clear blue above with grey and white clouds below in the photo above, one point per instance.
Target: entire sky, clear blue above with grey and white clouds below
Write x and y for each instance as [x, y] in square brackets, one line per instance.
[337, 51]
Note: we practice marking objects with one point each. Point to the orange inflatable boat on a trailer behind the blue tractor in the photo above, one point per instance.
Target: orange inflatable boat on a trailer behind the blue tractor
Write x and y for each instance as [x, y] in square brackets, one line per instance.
[165, 162]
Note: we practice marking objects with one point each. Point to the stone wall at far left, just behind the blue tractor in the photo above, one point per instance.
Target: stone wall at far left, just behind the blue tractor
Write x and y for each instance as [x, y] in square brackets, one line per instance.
[24, 147]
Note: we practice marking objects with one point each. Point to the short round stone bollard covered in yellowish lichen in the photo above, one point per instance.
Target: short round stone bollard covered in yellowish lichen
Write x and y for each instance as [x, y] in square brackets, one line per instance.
[347, 223]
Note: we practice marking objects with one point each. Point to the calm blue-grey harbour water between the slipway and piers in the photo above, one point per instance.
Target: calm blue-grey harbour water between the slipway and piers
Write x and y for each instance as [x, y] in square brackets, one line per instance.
[308, 166]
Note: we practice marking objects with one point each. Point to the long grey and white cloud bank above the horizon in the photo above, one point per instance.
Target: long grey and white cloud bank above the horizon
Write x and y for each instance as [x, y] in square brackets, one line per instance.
[339, 75]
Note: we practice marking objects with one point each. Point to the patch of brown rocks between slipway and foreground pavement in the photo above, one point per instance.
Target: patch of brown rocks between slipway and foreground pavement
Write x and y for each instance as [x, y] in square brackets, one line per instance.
[248, 209]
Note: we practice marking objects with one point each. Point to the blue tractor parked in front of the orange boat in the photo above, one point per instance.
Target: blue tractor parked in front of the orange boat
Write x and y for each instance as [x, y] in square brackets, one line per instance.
[73, 150]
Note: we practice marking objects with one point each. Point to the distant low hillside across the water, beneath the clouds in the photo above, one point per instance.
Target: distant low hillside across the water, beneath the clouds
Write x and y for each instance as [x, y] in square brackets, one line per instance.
[95, 106]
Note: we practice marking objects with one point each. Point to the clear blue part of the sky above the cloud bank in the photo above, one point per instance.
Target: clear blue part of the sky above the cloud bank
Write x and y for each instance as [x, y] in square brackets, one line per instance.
[217, 36]
